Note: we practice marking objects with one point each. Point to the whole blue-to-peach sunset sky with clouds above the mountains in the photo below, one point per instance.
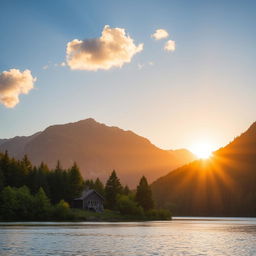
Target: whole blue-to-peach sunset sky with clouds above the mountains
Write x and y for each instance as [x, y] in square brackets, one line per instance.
[201, 88]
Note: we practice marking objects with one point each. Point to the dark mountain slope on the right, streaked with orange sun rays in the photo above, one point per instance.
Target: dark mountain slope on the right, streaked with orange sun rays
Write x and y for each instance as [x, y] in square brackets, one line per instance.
[224, 185]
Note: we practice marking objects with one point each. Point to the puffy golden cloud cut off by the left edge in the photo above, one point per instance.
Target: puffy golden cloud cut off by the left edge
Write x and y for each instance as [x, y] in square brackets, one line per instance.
[12, 84]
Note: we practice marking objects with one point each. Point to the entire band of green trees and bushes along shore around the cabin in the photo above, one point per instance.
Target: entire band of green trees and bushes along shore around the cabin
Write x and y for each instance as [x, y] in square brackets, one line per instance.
[30, 192]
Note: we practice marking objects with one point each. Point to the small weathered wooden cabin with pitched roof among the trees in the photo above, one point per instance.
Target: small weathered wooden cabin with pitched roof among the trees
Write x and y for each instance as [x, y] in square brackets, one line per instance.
[90, 200]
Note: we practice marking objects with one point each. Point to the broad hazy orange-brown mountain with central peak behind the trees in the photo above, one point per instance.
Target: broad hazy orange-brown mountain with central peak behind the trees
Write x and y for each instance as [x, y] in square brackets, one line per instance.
[97, 149]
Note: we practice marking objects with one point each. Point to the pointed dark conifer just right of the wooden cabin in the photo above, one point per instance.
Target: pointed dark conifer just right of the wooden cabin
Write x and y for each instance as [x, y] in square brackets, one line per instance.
[112, 189]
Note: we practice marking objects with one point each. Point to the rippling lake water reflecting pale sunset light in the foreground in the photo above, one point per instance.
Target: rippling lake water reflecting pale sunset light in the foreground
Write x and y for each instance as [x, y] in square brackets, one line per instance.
[182, 236]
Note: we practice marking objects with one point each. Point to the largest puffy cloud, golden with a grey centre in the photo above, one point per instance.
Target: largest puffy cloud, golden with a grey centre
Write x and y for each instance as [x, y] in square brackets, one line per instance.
[113, 49]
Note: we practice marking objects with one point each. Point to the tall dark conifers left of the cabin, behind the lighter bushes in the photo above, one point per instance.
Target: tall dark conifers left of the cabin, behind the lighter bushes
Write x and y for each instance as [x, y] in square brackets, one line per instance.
[58, 184]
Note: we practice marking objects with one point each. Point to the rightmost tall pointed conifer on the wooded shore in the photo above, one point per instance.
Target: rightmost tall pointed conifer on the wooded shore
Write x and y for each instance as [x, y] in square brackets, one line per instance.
[144, 195]
